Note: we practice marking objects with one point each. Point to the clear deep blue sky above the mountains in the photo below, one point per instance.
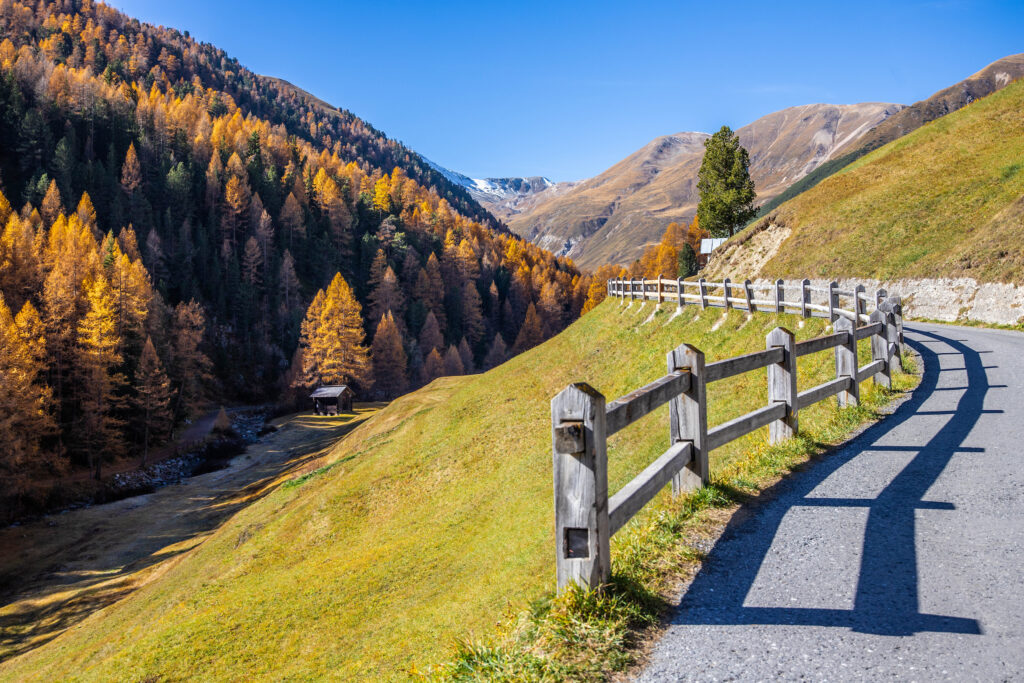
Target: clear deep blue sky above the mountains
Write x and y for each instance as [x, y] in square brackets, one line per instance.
[566, 90]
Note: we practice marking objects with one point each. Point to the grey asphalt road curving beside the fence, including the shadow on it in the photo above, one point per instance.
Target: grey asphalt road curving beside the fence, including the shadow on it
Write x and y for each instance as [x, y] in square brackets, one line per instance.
[901, 557]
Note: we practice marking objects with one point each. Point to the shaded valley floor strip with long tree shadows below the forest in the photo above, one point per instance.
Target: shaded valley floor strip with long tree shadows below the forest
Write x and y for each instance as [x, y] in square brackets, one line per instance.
[59, 570]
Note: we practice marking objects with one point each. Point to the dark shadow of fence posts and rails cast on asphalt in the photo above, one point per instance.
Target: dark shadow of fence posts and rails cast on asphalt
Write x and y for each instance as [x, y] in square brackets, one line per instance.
[886, 601]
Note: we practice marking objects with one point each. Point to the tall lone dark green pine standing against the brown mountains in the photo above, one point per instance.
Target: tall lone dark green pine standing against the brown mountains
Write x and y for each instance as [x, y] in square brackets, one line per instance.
[724, 183]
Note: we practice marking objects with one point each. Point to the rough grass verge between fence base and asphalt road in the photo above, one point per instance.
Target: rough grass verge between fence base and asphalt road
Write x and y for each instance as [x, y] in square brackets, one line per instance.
[592, 634]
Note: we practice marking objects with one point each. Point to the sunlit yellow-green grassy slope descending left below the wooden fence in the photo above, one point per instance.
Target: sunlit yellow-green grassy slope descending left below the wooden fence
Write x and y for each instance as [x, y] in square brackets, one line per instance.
[430, 523]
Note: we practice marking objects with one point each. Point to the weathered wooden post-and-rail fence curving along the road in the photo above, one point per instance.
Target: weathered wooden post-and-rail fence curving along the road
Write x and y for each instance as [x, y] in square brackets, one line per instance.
[586, 517]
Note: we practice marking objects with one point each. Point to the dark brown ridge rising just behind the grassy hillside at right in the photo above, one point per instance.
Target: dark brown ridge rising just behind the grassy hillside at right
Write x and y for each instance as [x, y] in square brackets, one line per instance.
[989, 80]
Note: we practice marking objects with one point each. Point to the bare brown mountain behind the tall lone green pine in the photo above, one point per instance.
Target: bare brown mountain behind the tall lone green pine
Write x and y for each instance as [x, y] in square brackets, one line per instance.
[612, 218]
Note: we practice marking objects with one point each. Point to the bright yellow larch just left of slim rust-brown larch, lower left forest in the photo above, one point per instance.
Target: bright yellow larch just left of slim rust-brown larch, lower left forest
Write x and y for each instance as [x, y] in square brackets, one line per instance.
[100, 430]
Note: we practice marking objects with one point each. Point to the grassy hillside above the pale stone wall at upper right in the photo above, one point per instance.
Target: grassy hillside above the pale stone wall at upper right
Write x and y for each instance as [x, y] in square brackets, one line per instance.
[947, 200]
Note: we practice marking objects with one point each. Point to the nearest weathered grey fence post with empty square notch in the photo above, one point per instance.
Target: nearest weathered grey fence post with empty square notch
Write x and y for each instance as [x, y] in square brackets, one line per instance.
[581, 477]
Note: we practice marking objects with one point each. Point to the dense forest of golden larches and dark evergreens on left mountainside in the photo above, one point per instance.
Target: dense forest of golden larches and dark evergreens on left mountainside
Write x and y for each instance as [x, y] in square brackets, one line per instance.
[178, 230]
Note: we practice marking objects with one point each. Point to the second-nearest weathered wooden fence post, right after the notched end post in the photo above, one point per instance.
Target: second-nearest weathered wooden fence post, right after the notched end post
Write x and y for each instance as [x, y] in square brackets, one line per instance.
[689, 418]
